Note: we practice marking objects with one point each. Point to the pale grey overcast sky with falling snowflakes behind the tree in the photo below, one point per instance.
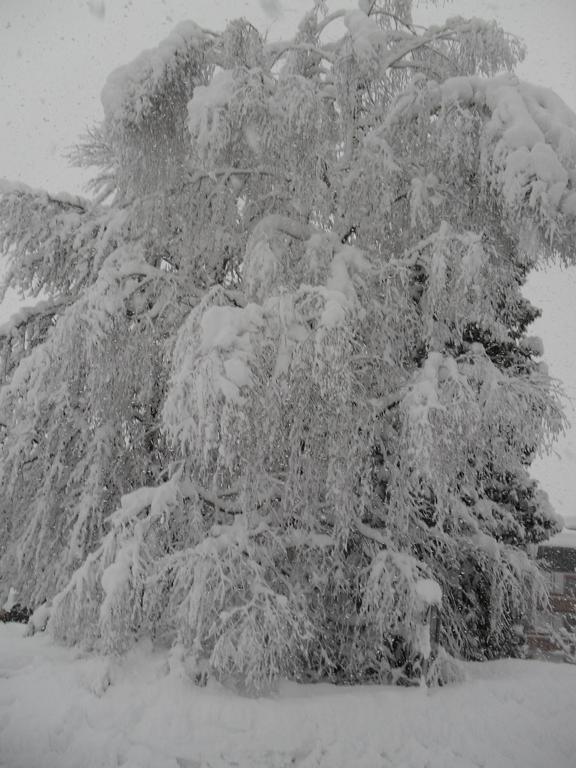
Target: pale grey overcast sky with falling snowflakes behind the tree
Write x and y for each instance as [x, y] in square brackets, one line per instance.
[56, 54]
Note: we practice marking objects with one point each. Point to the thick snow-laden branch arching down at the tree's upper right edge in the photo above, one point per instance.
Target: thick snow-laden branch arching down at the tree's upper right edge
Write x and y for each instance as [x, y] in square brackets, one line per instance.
[527, 146]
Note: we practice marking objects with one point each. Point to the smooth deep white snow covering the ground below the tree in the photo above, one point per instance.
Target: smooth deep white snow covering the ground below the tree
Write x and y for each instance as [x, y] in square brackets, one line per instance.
[59, 709]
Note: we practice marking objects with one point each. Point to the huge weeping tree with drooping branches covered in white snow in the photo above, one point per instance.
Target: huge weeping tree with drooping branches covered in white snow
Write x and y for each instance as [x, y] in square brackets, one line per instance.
[278, 399]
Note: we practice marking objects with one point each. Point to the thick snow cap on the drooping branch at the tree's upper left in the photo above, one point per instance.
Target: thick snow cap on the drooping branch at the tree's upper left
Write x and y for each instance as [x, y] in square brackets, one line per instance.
[126, 96]
